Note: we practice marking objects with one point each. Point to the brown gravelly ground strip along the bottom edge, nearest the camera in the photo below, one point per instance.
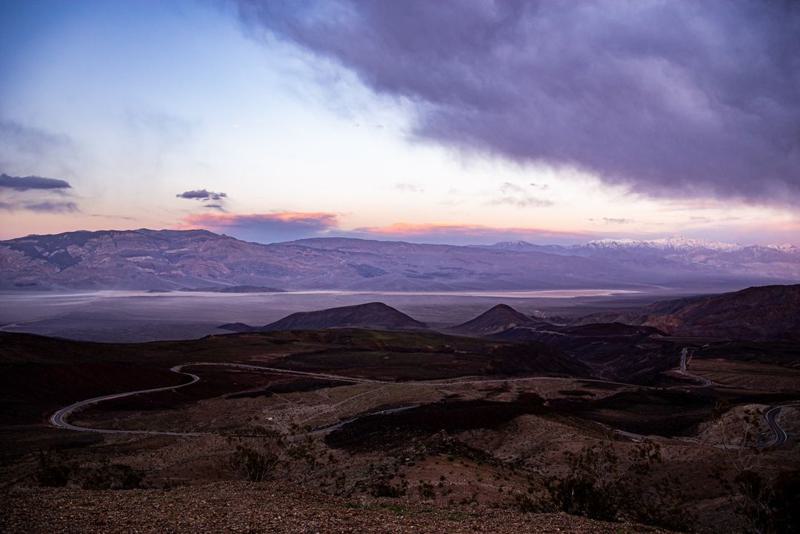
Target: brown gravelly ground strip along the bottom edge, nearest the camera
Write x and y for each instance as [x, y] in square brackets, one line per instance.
[251, 508]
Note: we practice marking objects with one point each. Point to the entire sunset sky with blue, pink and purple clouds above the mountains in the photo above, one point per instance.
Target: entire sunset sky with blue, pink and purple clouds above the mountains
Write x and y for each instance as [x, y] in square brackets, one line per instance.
[448, 122]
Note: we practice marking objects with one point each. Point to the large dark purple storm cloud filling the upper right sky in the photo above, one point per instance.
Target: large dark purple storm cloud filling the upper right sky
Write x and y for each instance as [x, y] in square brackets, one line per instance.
[673, 98]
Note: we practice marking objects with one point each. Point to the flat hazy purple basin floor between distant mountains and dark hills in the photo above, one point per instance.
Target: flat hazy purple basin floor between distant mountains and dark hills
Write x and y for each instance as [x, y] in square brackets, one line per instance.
[125, 315]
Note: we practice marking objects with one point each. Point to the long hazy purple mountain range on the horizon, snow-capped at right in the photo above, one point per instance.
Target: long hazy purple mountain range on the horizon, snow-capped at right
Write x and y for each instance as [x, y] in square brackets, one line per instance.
[199, 259]
